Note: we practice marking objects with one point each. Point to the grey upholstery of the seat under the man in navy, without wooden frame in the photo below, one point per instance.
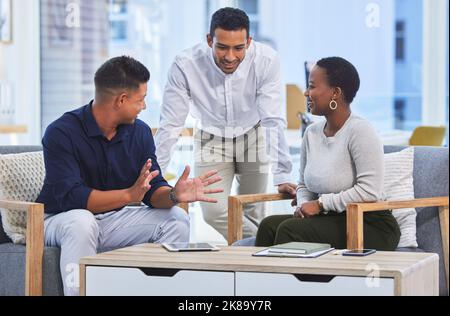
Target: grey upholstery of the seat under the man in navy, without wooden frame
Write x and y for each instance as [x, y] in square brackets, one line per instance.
[13, 257]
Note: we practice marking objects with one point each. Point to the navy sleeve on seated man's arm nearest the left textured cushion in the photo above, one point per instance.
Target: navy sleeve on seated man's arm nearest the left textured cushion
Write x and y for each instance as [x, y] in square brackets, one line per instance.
[63, 178]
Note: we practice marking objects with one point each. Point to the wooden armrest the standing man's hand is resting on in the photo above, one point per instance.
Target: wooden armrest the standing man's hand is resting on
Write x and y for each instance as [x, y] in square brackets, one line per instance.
[236, 209]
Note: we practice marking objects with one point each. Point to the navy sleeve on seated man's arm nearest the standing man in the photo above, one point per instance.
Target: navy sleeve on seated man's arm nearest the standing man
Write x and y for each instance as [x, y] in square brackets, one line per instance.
[159, 181]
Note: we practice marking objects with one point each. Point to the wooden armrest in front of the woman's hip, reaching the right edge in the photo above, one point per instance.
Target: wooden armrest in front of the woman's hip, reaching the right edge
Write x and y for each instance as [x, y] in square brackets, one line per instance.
[355, 213]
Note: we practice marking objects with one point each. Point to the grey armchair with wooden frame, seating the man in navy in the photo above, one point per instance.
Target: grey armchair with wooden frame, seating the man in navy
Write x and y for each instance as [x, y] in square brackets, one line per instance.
[30, 269]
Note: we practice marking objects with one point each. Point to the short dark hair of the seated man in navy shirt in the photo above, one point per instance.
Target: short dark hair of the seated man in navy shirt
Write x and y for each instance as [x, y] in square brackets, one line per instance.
[121, 73]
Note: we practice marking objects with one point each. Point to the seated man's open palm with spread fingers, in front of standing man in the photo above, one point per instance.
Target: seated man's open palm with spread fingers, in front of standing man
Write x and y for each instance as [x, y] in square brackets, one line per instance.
[195, 189]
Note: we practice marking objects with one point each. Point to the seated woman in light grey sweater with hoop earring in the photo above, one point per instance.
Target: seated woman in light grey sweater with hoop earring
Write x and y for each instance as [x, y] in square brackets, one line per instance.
[341, 163]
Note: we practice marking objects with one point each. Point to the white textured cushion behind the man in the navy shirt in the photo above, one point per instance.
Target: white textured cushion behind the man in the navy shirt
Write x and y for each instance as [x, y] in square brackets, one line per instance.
[21, 179]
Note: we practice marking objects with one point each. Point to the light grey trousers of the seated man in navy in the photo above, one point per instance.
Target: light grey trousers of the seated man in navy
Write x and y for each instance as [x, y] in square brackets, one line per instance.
[79, 233]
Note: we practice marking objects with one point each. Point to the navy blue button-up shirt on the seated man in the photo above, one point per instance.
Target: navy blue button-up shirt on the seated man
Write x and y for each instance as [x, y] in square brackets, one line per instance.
[79, 159]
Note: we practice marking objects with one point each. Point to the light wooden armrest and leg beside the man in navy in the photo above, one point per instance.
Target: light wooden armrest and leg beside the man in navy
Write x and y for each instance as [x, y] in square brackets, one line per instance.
[34, 243]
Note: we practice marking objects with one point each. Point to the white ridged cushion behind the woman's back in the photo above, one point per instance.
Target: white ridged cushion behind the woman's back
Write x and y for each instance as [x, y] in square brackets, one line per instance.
[399, 186]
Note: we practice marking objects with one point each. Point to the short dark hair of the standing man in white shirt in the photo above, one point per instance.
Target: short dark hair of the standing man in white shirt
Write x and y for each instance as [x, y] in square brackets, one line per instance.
[230, 19]
